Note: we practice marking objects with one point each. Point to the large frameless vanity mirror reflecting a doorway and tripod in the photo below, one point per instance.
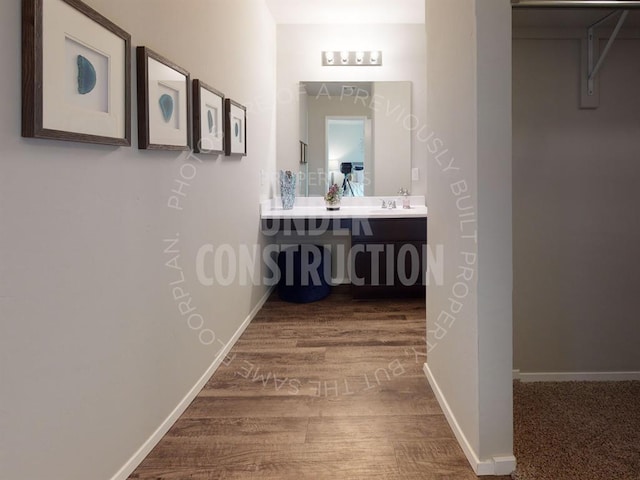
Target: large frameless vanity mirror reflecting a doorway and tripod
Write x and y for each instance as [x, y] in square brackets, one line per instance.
[354, 134]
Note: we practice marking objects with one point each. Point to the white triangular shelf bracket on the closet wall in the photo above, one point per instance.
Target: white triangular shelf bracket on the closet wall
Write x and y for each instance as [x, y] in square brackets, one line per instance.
[593, 66]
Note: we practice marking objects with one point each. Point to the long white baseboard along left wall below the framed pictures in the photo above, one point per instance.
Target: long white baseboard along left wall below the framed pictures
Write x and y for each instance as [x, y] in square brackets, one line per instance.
[161, 431]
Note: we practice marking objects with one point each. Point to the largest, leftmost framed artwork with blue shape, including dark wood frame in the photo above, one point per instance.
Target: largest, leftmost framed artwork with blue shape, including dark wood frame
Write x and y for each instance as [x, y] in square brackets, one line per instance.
[76, 74]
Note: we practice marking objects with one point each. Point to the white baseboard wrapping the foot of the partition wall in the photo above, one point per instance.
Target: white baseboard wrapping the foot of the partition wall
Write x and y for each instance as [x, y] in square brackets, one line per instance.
[498, 465]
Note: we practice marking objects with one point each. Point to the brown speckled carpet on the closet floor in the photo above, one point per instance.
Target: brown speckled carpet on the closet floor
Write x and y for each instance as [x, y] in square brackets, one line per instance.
[577, 430]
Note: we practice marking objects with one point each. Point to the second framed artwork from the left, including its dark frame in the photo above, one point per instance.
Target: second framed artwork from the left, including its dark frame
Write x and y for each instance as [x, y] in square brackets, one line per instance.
[164, 103]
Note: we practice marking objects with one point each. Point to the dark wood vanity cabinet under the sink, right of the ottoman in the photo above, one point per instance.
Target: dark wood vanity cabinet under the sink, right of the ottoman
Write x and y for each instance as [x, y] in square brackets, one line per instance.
[388, 257]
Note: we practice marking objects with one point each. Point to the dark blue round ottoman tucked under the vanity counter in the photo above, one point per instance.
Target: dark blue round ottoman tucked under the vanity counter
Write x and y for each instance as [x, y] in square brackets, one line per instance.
[305, 273]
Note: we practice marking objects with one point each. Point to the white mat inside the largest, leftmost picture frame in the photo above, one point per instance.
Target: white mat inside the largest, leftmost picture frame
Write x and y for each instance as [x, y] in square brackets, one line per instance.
[62, 22]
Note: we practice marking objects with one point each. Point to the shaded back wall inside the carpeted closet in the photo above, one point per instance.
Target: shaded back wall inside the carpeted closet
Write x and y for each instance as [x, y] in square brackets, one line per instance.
[575, 218]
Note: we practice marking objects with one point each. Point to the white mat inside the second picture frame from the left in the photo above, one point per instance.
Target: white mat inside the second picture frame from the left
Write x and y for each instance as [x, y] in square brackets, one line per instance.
[163, 78]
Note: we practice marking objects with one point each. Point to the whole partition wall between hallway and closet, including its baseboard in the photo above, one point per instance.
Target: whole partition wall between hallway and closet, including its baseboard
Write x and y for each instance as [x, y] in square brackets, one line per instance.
[469, 198]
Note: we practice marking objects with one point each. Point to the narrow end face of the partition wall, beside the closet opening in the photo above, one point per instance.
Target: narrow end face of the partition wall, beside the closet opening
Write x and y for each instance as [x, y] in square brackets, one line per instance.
[495, 256]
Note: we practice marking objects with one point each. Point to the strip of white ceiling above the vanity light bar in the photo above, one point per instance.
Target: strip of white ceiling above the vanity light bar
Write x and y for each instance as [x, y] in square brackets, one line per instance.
[346, 11]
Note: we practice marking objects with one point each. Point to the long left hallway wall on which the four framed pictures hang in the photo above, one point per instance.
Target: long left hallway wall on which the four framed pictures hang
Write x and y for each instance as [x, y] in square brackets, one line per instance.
[94, 354]
